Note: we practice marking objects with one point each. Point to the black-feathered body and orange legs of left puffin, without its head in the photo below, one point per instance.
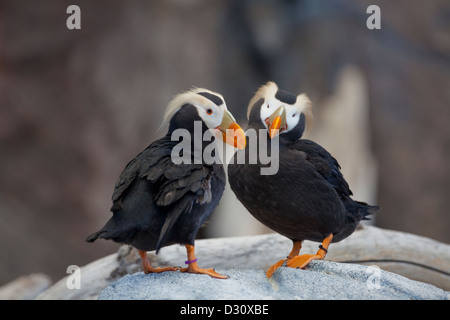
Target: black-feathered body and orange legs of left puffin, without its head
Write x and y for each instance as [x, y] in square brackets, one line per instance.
[157, 203]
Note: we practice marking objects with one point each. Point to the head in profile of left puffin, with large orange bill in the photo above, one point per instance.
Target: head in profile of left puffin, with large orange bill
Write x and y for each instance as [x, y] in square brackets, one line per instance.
[204, 105]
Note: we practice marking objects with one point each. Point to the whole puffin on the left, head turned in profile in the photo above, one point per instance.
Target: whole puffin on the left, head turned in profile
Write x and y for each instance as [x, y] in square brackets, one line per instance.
[160, 200]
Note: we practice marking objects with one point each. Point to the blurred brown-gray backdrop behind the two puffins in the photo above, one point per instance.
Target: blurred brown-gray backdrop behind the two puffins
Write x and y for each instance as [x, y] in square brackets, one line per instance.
[77, 105]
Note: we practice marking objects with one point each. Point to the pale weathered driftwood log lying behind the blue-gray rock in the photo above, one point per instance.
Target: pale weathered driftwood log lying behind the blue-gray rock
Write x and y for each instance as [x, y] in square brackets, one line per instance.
[408, 255]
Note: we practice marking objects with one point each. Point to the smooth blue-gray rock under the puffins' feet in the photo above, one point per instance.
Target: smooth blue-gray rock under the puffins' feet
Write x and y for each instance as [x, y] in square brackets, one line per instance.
[321, 280]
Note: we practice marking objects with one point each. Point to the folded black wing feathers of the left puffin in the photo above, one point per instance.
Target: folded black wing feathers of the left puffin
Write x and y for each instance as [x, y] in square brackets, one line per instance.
[178, 186]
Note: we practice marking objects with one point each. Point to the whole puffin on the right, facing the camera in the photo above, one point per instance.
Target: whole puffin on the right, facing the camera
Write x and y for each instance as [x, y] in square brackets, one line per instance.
[307, 198]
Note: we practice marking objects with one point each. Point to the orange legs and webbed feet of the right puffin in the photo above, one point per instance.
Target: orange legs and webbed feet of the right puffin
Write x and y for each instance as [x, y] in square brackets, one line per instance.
[296, 261]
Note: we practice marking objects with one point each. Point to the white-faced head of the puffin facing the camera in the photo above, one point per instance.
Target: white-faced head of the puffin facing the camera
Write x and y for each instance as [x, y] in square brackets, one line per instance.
[281, 112]
